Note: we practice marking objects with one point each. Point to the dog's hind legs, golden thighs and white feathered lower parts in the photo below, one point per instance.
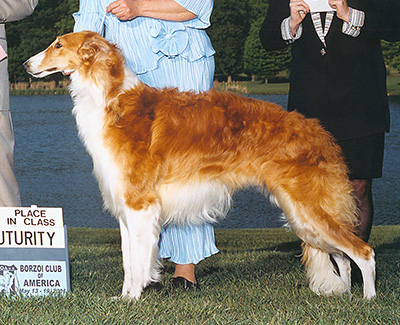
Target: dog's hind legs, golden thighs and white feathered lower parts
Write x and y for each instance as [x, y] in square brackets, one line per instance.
[324, 235]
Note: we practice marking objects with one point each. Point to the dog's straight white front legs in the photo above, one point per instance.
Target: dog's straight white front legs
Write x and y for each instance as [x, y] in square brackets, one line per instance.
[139, 243]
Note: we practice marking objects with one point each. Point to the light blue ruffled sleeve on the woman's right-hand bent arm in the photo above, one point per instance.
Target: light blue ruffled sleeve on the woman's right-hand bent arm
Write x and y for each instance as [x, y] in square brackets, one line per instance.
[201, 8]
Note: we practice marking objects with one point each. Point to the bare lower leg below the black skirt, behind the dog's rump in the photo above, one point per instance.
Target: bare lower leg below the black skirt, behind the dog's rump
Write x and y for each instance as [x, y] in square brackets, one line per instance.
[363, 193]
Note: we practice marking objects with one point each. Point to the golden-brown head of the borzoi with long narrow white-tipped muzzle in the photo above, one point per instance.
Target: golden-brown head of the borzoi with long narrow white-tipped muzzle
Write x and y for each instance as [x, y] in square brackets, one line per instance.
[69, 53]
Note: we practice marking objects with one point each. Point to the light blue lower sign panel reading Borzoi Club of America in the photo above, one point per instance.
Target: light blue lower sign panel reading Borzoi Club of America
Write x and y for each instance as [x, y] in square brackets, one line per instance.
[30, 278]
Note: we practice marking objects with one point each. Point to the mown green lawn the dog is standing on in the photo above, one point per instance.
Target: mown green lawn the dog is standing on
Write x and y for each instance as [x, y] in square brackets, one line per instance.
[256, 278]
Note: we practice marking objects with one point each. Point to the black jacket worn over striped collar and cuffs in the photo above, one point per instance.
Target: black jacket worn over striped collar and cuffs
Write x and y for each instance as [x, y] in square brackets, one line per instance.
[346, 88]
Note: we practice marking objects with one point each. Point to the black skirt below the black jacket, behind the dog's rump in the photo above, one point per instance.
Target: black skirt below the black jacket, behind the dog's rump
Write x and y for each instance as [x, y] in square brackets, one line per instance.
[364, 156]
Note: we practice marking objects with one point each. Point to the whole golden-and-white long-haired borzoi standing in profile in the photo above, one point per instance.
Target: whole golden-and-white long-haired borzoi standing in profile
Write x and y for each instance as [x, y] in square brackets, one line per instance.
[163, 156]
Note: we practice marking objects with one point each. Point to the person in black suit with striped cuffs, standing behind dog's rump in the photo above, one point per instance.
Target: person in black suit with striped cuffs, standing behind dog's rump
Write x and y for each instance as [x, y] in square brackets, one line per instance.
[338, 75]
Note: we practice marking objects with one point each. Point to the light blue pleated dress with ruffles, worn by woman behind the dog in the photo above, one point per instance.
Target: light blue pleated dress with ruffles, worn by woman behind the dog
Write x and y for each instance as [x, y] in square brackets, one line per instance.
[164, 54]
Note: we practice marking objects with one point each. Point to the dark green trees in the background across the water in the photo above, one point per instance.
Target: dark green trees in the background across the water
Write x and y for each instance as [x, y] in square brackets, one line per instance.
[234, 30]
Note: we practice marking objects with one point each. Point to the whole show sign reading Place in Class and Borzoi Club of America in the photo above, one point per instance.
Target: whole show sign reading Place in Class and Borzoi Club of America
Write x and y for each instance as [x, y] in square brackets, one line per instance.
[33, 251]
